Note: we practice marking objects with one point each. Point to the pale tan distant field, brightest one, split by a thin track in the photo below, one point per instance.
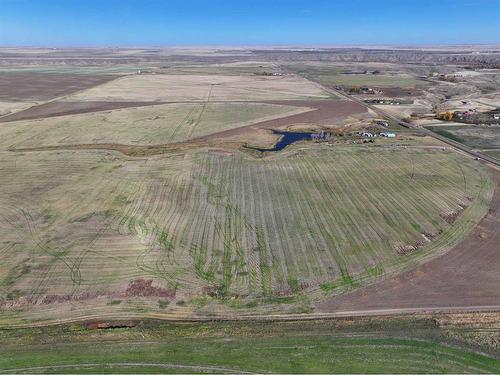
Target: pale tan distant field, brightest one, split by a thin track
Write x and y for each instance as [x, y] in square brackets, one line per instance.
[172, 87]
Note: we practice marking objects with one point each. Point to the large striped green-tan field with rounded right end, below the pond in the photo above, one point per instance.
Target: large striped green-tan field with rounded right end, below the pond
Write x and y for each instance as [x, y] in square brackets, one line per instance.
[208, 232]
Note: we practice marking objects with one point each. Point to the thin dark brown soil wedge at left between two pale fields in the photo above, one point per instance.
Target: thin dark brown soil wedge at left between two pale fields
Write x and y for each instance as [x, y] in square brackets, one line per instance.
[54, 109]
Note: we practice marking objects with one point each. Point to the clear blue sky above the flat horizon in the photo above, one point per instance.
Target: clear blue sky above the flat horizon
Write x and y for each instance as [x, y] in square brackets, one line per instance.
[247, 22]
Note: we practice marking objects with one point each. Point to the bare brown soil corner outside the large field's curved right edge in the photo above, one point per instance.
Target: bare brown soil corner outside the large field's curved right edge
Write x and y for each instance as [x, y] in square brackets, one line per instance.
[468, 275]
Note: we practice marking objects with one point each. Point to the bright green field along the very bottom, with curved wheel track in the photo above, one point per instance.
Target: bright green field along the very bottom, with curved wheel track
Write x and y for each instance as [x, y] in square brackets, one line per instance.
[293, 354]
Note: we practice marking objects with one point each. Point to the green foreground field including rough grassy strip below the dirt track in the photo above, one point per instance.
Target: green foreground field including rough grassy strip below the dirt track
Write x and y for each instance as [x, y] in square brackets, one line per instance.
[427, 344]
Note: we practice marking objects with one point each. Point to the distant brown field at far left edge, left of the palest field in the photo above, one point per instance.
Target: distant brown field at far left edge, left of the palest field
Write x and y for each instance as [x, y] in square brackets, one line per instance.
[39, 87]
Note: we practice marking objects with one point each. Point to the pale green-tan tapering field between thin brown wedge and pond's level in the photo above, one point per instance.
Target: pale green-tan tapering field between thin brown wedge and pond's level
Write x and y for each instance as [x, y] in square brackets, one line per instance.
[147, 125]
